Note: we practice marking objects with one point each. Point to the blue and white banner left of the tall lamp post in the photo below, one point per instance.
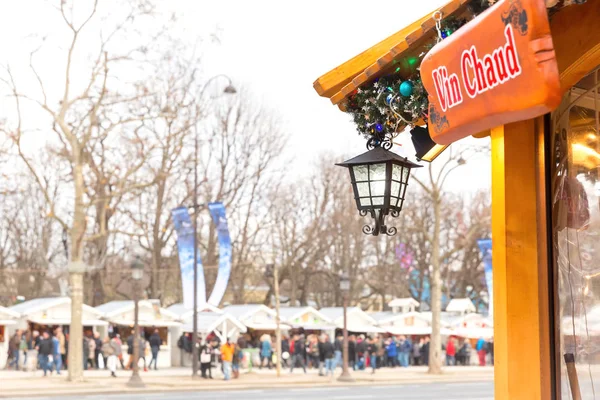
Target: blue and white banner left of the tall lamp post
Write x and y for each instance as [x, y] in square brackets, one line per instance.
[185, 247]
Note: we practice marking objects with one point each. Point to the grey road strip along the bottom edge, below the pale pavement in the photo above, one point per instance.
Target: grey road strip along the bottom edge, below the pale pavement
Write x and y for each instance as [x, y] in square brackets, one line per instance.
[445, 391]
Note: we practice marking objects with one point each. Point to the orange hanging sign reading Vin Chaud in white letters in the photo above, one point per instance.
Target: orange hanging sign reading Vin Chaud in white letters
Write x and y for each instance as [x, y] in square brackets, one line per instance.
[498, 68]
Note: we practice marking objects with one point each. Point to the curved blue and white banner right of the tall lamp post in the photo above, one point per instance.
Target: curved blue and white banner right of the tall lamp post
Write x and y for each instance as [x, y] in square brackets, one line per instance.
[217, 212]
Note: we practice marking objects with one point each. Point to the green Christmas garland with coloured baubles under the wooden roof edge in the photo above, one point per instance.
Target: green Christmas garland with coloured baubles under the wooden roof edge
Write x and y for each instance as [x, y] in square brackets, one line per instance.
[389, 104]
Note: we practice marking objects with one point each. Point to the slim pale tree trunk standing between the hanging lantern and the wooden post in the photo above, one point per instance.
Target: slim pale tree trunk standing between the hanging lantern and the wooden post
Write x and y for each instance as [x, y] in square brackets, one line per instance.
[435, 349]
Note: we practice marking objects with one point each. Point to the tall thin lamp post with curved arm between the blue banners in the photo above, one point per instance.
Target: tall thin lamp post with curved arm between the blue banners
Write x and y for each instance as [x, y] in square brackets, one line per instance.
[229, 89]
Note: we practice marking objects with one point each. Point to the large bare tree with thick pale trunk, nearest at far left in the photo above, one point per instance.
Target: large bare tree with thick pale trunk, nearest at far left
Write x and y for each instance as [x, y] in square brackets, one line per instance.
[100, 113]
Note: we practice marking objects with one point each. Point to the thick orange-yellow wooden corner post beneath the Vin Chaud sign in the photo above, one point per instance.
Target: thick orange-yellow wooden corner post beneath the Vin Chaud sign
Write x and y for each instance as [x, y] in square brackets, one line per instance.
[521, 301]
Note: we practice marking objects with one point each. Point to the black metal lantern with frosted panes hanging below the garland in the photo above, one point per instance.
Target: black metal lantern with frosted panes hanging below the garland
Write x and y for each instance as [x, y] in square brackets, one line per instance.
[379, 179]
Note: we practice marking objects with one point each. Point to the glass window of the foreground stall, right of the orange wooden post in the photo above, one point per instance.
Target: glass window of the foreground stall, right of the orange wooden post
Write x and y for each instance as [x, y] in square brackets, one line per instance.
[576, 233]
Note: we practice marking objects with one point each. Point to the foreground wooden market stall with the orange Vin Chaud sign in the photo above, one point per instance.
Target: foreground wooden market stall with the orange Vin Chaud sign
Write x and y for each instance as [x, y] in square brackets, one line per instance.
[524, 73]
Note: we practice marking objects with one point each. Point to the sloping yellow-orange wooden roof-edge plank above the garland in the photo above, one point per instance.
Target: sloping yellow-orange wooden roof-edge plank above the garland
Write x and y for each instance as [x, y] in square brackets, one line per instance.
[333, 81]
